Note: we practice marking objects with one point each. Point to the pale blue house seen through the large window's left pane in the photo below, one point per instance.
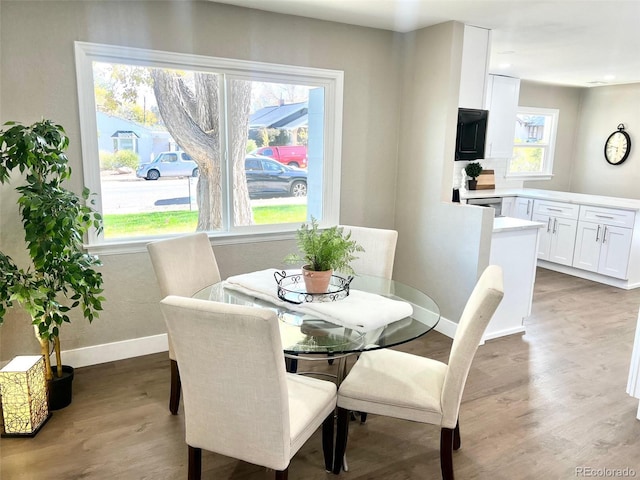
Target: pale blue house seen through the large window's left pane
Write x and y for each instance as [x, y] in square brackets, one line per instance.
[115, 133]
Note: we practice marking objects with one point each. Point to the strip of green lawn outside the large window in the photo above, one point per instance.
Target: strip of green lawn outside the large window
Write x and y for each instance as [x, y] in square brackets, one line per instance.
[158, 223]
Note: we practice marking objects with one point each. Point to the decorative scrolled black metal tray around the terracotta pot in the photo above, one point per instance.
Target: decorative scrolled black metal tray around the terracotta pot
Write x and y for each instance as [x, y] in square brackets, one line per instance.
[291, 288]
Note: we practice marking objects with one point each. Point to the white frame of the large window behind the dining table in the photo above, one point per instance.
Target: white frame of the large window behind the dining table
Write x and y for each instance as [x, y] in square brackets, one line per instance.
[332, 81]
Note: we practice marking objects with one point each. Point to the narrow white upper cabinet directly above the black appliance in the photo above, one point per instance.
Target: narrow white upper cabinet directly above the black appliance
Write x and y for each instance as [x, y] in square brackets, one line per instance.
[475, 66]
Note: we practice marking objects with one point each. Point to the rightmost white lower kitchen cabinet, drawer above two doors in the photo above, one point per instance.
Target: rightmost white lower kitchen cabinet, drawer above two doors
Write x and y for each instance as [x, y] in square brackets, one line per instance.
[603, 241]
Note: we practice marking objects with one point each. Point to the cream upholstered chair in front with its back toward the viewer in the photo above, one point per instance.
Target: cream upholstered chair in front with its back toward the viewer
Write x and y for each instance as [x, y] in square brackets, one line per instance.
[250, 410]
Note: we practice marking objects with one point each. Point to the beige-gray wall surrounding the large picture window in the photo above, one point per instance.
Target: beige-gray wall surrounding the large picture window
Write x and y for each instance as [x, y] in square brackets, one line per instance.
[38, 80]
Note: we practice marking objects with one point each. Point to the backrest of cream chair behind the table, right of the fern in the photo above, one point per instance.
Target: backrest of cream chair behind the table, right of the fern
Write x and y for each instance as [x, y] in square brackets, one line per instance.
[379, 250]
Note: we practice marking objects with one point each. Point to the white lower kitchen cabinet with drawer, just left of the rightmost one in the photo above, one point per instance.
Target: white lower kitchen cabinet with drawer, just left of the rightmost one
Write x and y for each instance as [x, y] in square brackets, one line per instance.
[557, 239]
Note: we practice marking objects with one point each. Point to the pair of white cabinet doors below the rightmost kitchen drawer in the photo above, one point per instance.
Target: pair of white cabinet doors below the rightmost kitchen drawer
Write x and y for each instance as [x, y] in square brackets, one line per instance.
[603, 249]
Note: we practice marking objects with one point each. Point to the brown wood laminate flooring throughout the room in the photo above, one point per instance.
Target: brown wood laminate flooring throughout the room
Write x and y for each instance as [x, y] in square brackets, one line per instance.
[536, 406]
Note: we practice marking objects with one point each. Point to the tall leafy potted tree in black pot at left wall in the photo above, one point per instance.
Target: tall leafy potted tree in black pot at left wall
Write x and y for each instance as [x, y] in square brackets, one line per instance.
[59, 276]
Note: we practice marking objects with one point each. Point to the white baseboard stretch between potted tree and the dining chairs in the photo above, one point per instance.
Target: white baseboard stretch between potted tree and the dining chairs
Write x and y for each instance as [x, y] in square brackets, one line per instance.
[109, 352]
